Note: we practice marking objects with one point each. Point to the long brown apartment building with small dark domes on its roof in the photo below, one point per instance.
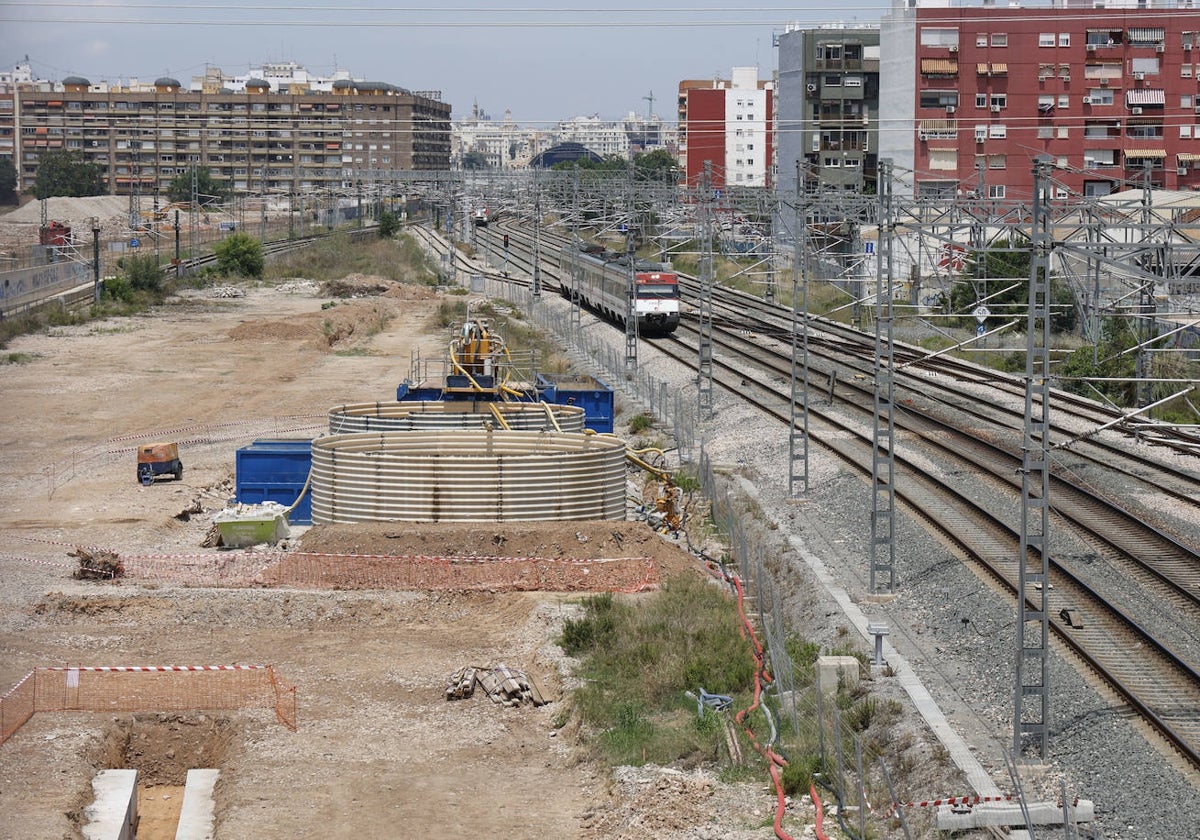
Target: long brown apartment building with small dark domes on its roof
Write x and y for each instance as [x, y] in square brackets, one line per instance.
[256, 140]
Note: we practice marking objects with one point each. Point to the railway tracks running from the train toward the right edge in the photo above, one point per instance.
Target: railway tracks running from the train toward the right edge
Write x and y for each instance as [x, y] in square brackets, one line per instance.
[1138, 635]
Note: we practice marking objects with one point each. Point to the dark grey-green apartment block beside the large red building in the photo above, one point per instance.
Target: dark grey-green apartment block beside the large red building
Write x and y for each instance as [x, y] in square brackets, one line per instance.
[829, 107]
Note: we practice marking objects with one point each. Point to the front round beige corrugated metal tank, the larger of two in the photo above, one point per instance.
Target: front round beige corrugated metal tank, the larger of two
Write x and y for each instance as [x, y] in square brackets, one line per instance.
[467, 477]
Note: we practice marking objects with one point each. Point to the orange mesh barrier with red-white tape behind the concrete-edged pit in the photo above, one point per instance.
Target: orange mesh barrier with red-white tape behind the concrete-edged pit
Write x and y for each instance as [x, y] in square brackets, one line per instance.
[167, 688]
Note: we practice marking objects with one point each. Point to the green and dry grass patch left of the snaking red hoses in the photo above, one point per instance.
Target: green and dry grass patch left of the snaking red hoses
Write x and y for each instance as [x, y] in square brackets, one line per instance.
[640, 659]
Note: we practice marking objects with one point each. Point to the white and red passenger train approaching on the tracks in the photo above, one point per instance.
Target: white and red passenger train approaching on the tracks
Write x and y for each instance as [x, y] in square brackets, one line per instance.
[604, 286]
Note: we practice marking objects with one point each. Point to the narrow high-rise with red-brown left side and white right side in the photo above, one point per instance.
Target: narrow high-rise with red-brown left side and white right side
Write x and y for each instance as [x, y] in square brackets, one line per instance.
[729, 124]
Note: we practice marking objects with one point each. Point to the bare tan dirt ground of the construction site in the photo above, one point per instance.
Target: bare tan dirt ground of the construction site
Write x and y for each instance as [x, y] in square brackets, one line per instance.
[380, 752]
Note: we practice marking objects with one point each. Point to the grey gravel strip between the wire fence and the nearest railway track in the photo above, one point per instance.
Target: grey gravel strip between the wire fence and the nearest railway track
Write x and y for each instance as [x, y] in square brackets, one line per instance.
[955, 631]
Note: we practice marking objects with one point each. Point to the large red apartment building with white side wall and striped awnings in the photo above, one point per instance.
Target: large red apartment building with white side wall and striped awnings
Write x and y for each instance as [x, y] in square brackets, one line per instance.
[1103, 93]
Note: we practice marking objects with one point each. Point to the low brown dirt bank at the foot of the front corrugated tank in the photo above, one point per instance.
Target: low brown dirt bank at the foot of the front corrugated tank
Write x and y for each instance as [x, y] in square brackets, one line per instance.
[566, 541]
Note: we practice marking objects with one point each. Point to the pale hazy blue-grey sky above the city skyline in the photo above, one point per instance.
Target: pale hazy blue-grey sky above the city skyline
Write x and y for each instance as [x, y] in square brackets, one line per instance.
[543, 61]
